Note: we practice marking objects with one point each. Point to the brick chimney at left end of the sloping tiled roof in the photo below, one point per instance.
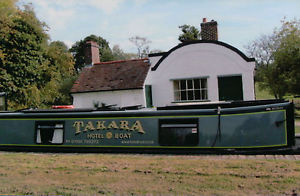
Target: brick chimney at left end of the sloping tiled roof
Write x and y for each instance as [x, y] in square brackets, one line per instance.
[91, 53]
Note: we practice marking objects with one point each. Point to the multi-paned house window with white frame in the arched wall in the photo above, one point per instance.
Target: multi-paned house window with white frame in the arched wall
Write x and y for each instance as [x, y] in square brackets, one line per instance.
[190, 89]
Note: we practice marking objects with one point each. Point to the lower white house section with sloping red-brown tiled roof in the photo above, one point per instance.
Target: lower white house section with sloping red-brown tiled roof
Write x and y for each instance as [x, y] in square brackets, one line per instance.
[118, 83]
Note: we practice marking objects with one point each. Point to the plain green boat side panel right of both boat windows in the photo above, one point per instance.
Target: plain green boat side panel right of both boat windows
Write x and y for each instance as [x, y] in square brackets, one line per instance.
[263, 129]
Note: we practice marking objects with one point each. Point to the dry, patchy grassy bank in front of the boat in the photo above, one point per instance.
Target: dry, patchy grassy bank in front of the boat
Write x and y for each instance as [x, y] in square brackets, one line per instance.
[106, 174]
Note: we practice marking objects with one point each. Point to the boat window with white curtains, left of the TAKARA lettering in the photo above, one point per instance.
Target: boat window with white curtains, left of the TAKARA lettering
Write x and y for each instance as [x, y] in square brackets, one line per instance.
[49, 132]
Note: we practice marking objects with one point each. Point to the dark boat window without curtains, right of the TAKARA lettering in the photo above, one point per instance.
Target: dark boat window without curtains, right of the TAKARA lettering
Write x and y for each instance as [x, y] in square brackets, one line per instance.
[178, 132]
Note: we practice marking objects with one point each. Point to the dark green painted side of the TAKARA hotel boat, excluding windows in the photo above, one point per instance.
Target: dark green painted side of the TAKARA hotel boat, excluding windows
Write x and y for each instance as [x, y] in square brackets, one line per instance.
[252, 129]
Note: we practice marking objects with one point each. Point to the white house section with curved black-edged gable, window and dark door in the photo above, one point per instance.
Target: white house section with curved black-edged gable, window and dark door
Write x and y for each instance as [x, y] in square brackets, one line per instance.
[201, 71]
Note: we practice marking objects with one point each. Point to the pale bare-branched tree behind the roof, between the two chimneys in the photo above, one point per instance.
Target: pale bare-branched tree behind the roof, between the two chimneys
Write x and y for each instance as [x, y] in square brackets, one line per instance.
[142, 44]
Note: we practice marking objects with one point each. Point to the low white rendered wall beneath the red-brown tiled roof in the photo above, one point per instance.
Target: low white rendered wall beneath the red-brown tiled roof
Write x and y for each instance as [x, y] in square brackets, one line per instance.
[122, 98]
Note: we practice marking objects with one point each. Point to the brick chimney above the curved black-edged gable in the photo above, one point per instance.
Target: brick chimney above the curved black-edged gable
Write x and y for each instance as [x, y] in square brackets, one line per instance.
[209, 30]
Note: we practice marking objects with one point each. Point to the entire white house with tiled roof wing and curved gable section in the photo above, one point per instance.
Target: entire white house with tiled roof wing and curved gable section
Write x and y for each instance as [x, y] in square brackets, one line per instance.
[199, 71]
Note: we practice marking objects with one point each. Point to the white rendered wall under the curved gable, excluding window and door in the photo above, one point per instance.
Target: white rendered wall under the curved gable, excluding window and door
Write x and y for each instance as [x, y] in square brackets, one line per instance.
[199, 60]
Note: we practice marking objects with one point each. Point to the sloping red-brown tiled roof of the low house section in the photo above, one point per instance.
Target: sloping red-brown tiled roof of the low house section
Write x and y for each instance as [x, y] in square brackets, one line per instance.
[114, 75]
